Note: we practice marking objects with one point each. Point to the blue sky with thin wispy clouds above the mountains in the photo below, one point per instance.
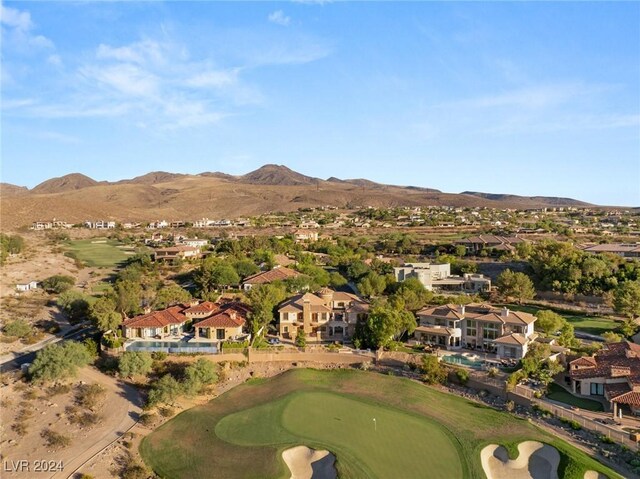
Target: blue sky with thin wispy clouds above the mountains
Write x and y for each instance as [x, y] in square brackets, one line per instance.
[526, 98]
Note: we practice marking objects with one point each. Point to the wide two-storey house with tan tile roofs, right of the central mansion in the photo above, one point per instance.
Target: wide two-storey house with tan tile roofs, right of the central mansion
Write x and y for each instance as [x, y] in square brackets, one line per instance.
[477, 326]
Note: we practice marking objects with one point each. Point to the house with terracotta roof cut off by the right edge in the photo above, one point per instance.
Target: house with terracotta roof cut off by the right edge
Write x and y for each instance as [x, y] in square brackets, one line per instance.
[612, 373]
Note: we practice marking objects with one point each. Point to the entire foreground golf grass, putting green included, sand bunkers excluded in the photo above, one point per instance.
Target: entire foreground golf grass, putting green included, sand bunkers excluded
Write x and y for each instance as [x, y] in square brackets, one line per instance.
[421, 432]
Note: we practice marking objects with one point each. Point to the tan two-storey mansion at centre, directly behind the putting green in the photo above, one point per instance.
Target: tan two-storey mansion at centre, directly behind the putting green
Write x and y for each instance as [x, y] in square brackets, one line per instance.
[326, 315]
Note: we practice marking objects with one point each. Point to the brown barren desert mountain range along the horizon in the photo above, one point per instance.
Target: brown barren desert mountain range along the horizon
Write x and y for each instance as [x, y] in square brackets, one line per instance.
[173, 196]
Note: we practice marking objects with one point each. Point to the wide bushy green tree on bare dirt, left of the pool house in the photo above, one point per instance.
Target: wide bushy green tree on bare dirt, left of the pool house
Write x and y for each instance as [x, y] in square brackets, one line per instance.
[59, 361]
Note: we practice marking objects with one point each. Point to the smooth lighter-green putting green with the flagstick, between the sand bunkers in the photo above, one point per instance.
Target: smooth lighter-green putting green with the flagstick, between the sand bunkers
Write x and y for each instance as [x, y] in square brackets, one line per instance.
[346, 426]
